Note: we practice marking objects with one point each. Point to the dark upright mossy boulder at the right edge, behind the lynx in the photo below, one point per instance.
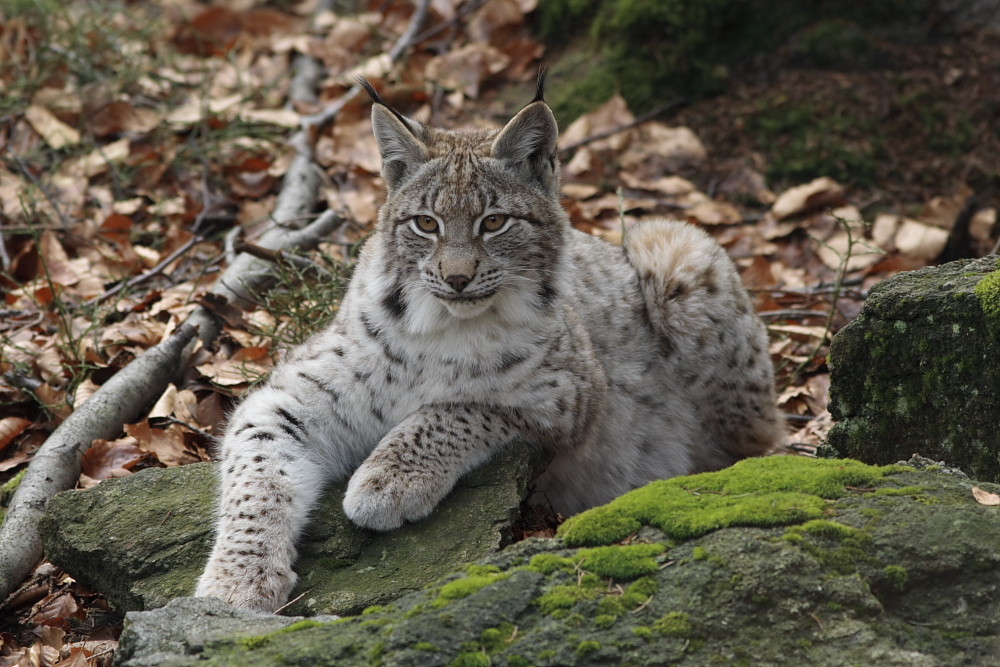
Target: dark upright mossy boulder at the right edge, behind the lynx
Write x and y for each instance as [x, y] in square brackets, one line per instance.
[918, 371]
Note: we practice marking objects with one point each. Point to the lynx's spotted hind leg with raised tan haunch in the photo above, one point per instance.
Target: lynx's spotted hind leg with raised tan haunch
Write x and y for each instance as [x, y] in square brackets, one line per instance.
[714, 341]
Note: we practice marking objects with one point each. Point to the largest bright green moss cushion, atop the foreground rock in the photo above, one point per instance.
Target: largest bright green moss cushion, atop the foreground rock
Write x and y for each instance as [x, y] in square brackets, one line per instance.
[768, 491]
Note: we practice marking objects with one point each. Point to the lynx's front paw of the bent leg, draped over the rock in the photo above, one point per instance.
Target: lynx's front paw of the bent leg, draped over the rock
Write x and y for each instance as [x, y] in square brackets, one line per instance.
[382, 500]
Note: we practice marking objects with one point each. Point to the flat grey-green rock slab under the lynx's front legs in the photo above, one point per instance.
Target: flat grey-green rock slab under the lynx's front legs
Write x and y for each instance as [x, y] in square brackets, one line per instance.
[143, 540]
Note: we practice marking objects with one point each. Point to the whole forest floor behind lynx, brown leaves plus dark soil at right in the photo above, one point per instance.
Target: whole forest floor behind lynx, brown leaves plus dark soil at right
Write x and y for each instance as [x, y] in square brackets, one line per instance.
[140, 144]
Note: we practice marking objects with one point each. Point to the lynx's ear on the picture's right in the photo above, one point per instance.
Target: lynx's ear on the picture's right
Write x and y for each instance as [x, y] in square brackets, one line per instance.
[528, 143]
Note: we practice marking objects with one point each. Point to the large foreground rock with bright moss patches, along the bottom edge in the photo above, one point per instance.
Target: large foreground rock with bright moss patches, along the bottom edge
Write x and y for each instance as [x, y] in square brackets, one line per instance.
[780, 560]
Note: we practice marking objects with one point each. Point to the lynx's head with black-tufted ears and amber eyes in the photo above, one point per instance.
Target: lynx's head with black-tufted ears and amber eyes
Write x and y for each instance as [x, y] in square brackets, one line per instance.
[472, 223]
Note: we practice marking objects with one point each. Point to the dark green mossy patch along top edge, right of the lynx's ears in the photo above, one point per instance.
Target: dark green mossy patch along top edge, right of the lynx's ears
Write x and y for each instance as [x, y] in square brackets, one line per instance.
[693, 48]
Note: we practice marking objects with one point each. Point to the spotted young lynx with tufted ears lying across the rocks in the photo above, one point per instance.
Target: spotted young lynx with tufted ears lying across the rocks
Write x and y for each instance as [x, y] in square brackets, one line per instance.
[478, 318]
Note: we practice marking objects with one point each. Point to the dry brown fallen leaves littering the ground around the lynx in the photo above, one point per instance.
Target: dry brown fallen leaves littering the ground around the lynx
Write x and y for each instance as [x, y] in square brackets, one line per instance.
[122, 196]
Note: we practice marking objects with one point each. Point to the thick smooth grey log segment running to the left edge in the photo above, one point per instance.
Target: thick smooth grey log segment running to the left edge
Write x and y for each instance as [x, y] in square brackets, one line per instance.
[57, 463]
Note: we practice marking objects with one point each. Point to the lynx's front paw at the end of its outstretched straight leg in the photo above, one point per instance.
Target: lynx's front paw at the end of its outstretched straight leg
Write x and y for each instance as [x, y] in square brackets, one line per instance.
[248, 588]
